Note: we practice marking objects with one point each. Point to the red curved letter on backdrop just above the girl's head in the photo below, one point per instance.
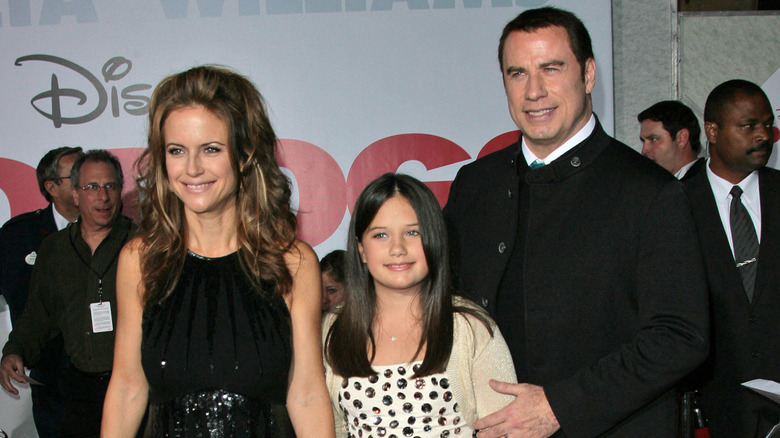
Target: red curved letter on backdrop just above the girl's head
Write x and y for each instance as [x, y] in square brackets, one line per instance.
[387, 154]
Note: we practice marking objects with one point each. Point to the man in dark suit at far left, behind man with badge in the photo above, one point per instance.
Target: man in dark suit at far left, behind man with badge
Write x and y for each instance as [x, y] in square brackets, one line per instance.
[20, 238]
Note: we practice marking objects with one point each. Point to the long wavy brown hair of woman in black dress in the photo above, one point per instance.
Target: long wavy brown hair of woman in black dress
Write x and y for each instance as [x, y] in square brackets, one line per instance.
[266, 225]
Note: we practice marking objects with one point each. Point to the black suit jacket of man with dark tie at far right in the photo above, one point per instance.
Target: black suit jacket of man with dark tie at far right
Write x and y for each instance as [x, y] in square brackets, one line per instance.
[745, 335]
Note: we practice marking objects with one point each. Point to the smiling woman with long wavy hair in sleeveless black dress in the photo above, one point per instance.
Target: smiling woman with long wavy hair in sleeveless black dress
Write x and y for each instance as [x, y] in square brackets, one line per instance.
[218, 303]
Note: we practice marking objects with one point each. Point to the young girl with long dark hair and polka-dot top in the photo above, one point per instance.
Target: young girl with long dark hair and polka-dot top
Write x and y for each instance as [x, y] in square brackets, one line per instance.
[404, 357]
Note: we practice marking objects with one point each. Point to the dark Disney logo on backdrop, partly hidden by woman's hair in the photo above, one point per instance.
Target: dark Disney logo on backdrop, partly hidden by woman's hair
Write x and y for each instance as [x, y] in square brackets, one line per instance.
[113, 70]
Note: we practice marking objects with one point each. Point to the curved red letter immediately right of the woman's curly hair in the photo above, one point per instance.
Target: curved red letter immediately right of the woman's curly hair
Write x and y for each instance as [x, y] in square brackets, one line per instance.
[321, 189]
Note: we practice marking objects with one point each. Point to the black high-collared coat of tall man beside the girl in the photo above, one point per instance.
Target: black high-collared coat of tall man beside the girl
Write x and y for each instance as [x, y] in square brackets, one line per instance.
[614, 288]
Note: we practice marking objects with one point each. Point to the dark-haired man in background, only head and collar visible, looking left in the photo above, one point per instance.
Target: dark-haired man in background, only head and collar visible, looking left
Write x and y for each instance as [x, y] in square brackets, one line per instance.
[669, 132]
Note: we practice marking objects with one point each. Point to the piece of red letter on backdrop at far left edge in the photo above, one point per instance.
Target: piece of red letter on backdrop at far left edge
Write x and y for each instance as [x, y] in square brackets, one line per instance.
[18, 182]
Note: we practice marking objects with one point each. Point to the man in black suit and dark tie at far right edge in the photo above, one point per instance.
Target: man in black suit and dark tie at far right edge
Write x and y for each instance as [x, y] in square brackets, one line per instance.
[741, 258]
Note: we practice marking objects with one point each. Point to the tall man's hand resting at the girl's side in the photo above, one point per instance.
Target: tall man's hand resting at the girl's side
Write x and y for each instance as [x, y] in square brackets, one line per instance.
[528, 416]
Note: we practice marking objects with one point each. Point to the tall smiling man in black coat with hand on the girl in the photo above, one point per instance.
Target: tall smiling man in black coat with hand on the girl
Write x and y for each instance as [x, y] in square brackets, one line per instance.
[589, 263]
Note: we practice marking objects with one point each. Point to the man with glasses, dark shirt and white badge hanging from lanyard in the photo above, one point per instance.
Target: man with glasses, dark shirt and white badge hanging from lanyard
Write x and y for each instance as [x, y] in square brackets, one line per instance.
[73, 292]
